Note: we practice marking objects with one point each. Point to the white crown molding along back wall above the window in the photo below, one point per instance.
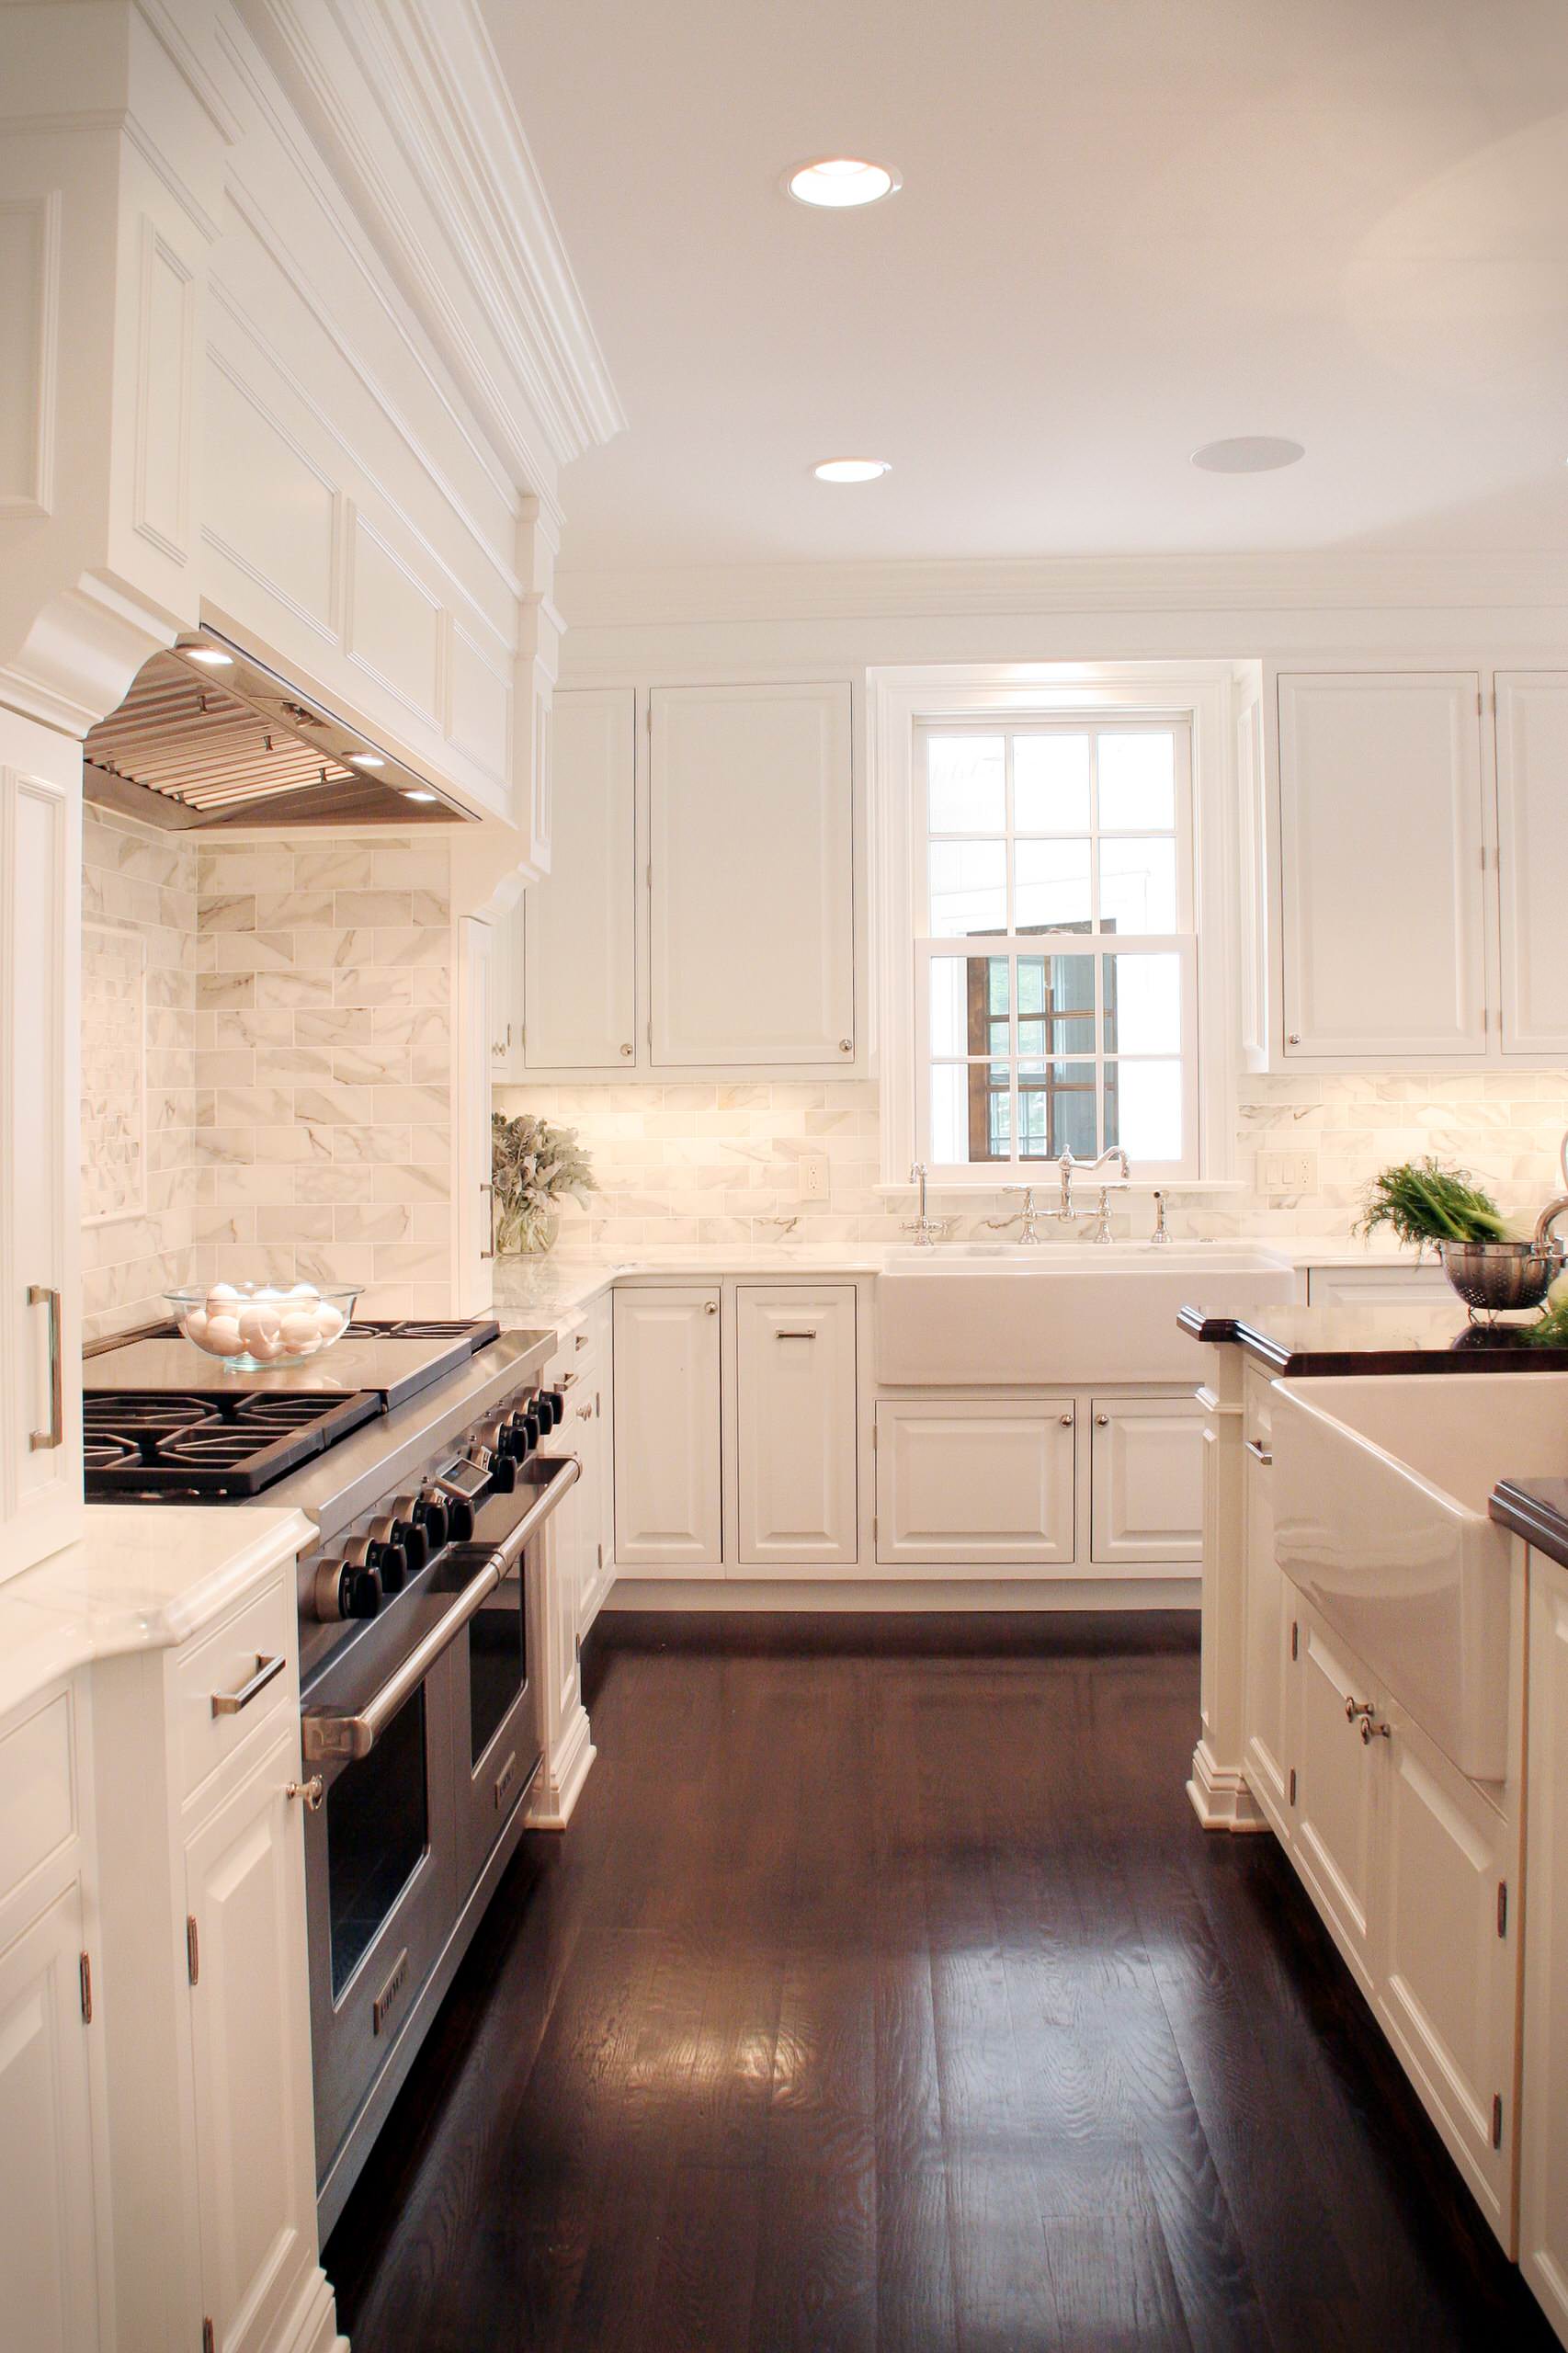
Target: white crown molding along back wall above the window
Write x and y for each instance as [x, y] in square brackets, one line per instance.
[959, 587]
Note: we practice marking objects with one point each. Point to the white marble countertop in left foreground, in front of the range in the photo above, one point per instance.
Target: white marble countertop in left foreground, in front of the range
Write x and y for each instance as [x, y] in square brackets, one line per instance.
[142, 1578]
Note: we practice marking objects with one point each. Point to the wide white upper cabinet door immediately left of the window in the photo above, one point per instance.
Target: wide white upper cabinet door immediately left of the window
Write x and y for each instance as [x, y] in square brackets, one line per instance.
[752, 876]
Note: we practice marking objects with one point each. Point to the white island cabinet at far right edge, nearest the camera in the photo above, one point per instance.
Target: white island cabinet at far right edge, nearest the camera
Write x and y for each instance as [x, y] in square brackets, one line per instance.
[1543, 2175]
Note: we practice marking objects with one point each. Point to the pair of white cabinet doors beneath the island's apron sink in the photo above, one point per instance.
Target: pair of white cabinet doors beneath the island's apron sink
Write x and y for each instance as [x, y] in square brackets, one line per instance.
[1416, 1872]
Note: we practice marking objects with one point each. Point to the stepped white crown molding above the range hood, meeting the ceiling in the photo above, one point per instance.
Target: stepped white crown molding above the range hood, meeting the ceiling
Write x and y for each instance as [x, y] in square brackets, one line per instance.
[456, 147]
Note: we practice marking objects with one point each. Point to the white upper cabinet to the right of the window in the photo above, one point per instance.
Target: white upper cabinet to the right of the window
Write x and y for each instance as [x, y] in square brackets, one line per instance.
[1416, 872]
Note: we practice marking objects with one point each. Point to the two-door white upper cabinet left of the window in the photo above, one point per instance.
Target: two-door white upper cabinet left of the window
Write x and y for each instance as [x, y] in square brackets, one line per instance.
[703, 900]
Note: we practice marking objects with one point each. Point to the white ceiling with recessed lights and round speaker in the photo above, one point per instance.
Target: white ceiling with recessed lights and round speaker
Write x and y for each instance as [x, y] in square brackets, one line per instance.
[1127, 227]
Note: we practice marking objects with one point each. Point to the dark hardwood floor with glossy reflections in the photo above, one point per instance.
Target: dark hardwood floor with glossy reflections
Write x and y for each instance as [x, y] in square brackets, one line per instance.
[886, 1994]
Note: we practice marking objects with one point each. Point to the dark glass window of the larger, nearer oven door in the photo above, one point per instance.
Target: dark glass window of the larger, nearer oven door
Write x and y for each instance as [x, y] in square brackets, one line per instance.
[378, 1829]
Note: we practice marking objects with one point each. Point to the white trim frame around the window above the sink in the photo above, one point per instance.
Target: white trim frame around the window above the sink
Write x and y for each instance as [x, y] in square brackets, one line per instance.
[1204, 695]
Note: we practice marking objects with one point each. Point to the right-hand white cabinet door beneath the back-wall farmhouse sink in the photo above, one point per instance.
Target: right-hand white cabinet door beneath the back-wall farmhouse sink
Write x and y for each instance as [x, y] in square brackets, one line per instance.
[1145, 1481]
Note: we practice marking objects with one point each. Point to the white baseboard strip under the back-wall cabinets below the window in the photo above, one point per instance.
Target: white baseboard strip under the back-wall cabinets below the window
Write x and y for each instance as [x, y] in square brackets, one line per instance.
[905, 1594]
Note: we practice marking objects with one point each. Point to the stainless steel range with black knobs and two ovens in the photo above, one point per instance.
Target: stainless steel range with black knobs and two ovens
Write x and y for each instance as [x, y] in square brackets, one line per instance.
[413, 1448]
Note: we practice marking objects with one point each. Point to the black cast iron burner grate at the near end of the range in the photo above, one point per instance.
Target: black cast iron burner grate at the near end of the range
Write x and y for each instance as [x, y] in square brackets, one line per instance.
[208, 1444]
